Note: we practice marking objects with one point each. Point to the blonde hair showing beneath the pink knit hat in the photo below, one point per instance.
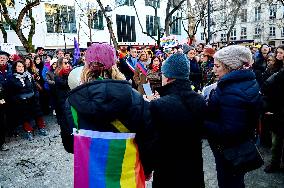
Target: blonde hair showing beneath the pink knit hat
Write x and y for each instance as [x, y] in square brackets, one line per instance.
[96, 72]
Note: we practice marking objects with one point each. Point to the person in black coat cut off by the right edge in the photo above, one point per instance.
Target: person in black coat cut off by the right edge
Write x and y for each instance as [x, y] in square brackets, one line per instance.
[273, 90]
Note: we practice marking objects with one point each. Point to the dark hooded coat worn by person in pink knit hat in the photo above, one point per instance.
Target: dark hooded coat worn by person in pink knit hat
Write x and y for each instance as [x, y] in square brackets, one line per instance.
[100, 102]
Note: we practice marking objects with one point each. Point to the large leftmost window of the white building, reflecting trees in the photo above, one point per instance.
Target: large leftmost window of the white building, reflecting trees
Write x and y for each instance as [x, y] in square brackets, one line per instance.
[60, 18]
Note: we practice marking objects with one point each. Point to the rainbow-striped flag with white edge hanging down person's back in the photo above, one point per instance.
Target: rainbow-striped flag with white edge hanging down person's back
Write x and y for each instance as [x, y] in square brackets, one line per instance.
[106, 160]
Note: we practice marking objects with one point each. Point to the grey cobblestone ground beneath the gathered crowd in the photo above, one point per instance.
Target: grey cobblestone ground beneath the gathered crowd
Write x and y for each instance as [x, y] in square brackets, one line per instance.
[44, 163]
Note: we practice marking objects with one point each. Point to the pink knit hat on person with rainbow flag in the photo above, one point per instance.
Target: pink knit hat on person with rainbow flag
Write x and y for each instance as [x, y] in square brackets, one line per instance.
[101, 53]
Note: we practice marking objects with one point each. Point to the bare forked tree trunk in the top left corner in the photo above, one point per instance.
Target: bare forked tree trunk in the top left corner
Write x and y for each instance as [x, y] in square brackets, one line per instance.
[16, 24]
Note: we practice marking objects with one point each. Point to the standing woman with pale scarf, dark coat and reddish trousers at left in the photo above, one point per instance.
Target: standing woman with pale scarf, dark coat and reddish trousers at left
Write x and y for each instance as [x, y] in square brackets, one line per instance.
[23, 98]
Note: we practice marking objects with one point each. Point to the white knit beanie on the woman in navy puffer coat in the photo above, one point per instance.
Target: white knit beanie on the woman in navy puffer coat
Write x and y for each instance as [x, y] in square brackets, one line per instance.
[234, 56]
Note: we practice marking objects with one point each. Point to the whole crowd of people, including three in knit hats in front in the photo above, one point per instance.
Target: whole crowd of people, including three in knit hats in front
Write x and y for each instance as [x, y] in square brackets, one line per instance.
[244, 102]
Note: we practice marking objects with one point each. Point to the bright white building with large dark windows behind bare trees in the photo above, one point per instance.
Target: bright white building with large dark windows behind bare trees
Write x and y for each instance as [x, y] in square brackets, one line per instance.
[59, 22]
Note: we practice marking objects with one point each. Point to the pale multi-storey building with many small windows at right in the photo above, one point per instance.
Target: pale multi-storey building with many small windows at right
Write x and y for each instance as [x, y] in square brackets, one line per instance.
[258, 21]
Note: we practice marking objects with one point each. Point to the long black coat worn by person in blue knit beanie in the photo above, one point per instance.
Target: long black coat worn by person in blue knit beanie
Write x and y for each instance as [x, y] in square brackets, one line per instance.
[178, 118]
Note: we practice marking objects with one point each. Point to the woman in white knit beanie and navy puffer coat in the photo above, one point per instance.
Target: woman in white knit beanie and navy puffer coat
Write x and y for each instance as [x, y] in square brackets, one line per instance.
[233, 109]
